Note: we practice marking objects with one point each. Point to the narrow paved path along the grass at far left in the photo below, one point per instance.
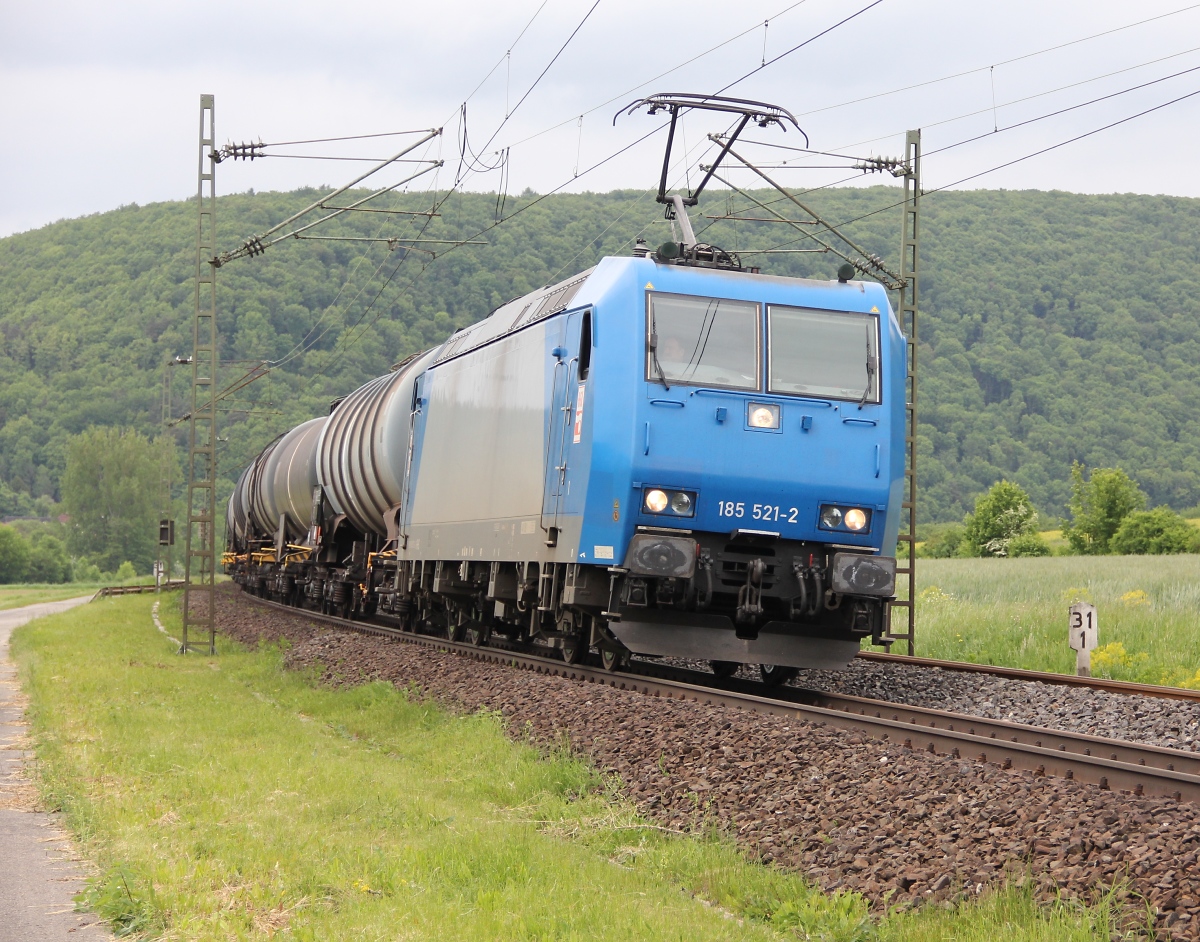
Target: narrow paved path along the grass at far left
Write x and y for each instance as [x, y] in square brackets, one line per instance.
[39, 872]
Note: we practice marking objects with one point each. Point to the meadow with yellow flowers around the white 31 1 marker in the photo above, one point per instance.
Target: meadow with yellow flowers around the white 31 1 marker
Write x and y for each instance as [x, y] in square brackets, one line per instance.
[1013, 613]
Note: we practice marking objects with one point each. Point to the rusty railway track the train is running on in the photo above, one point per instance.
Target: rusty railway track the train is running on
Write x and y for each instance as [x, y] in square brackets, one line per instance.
[1107, 764]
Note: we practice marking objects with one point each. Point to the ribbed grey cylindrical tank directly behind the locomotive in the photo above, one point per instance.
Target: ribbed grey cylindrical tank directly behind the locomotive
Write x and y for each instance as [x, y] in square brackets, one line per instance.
[363, 453]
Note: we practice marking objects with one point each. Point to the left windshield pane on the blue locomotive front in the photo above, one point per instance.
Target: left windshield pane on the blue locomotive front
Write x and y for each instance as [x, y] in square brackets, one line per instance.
[703, 341]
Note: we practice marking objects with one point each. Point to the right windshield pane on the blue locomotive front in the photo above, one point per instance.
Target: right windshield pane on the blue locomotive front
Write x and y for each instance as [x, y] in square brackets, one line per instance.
[824, 353]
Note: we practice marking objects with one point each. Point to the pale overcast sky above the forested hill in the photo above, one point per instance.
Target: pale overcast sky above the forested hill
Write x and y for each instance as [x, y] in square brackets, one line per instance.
[101, 100]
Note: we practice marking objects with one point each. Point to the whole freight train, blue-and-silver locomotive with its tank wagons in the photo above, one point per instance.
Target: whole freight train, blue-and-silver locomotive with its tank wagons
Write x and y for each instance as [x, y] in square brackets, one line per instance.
[661, 457]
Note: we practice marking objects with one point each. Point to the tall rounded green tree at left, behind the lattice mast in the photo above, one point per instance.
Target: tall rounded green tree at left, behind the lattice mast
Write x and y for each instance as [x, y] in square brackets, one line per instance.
[111, 493]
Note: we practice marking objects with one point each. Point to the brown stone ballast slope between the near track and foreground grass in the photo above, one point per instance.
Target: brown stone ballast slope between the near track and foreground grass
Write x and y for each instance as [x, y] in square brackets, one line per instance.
[849, 812]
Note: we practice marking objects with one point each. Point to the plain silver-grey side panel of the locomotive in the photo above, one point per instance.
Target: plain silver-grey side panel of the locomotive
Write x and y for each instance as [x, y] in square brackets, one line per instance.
[479, 487]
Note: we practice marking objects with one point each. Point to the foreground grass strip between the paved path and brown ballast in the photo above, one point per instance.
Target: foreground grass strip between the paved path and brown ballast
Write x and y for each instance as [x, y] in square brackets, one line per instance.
[227, 799]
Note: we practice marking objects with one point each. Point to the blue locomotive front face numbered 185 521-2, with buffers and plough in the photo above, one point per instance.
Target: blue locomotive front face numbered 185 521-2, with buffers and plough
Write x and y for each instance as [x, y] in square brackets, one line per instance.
[766, 471]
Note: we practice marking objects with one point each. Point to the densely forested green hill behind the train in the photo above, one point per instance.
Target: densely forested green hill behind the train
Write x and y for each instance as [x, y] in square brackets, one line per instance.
[1054, 328]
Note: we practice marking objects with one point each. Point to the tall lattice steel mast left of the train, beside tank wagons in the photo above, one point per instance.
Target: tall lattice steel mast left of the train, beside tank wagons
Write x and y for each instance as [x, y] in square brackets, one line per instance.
[200, 567]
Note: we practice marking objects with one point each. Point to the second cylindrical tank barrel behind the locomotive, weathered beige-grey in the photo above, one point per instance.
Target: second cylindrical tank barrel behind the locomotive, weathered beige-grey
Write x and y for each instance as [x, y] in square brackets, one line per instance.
[285, 481]
